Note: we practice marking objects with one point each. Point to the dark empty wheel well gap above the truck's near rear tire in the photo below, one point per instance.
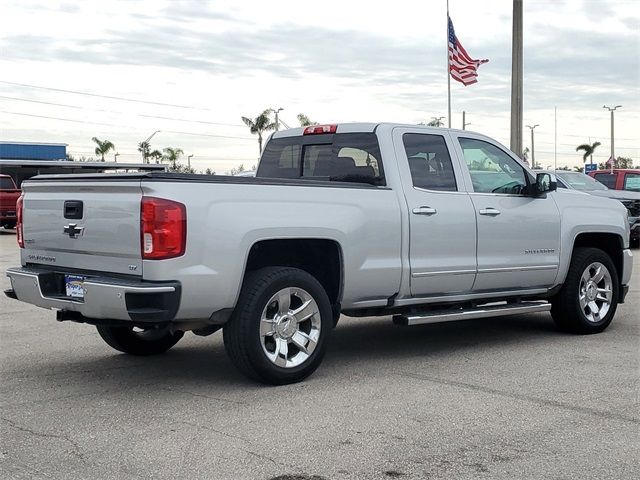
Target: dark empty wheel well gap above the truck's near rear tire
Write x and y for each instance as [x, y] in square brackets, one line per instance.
[321, 258]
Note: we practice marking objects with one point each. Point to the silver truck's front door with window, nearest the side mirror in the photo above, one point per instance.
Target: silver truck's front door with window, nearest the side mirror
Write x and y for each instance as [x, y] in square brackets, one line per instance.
[518, 235]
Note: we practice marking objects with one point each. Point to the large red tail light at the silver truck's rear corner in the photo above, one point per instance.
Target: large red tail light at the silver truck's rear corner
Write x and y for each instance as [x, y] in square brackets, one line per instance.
[163, 228]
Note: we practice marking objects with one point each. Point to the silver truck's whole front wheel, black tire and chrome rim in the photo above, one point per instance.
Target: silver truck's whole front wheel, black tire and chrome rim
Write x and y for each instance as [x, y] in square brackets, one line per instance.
[588, 299]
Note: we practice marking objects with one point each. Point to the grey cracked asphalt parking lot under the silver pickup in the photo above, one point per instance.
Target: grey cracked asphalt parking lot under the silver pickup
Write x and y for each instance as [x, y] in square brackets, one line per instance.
[498, 398]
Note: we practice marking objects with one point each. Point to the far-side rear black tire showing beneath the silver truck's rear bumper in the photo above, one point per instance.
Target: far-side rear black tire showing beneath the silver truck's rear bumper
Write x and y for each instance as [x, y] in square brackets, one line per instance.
[145, 342]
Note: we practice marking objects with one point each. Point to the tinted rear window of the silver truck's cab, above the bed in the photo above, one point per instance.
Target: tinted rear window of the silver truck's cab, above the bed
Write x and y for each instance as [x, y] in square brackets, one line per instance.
[340, 157]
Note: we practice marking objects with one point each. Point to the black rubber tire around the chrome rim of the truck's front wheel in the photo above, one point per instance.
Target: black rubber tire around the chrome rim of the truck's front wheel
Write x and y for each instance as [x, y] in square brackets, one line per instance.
[566, 310]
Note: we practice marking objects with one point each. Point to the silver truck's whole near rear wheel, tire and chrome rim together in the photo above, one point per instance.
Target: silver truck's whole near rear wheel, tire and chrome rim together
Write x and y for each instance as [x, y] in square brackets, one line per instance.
[279, 330]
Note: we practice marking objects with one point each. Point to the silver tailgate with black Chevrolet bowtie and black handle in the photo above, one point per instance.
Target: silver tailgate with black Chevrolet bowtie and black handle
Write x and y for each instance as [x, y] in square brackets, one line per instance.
[88, 225]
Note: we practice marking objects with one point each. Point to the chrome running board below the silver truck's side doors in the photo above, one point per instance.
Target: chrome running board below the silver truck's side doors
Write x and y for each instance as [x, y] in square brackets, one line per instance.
[484, 311]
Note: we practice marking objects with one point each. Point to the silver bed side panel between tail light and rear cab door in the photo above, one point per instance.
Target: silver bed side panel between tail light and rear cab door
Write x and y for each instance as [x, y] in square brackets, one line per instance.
[225, 220]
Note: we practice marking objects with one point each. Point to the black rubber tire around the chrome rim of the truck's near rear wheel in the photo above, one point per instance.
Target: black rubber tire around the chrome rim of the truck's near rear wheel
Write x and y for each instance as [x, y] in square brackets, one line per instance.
[242, 338]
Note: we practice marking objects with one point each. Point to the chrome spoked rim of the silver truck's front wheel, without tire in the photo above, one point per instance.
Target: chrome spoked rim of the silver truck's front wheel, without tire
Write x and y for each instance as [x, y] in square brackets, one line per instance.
[595, 292]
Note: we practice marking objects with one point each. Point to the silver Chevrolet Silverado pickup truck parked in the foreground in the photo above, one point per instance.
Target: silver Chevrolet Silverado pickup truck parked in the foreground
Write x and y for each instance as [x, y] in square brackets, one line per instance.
[422, 224]
